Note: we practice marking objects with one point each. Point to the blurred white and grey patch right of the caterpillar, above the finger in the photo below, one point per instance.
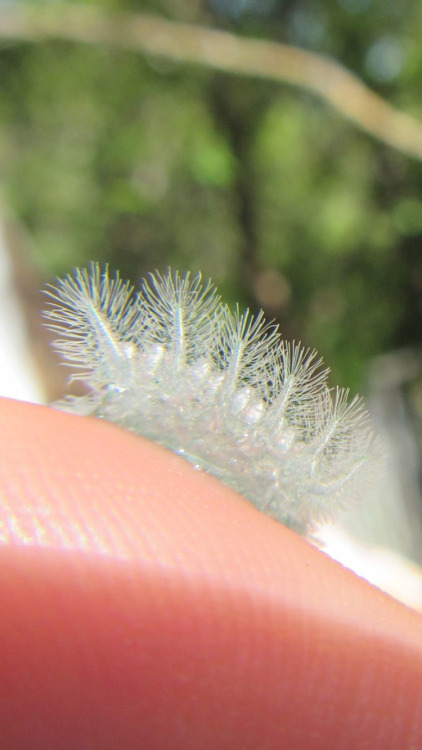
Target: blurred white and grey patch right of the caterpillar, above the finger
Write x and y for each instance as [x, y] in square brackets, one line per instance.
[380, 538]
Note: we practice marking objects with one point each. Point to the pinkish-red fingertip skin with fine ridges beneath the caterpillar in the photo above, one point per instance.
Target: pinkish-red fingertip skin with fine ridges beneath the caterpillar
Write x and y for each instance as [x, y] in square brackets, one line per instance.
[146, 605]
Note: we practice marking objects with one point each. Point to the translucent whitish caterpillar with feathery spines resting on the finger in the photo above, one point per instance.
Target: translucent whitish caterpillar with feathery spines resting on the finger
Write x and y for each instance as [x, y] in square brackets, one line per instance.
[222, 389]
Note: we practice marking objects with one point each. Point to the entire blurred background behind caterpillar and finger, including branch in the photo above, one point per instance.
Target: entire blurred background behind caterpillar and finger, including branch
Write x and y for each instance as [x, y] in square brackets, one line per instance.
[114, 153]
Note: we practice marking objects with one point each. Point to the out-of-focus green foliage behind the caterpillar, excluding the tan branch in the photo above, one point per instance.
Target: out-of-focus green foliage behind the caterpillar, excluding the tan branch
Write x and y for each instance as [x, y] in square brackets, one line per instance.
[111, 155]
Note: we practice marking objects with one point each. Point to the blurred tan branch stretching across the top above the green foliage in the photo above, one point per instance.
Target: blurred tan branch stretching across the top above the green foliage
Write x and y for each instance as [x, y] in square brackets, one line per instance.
[219, 50]
